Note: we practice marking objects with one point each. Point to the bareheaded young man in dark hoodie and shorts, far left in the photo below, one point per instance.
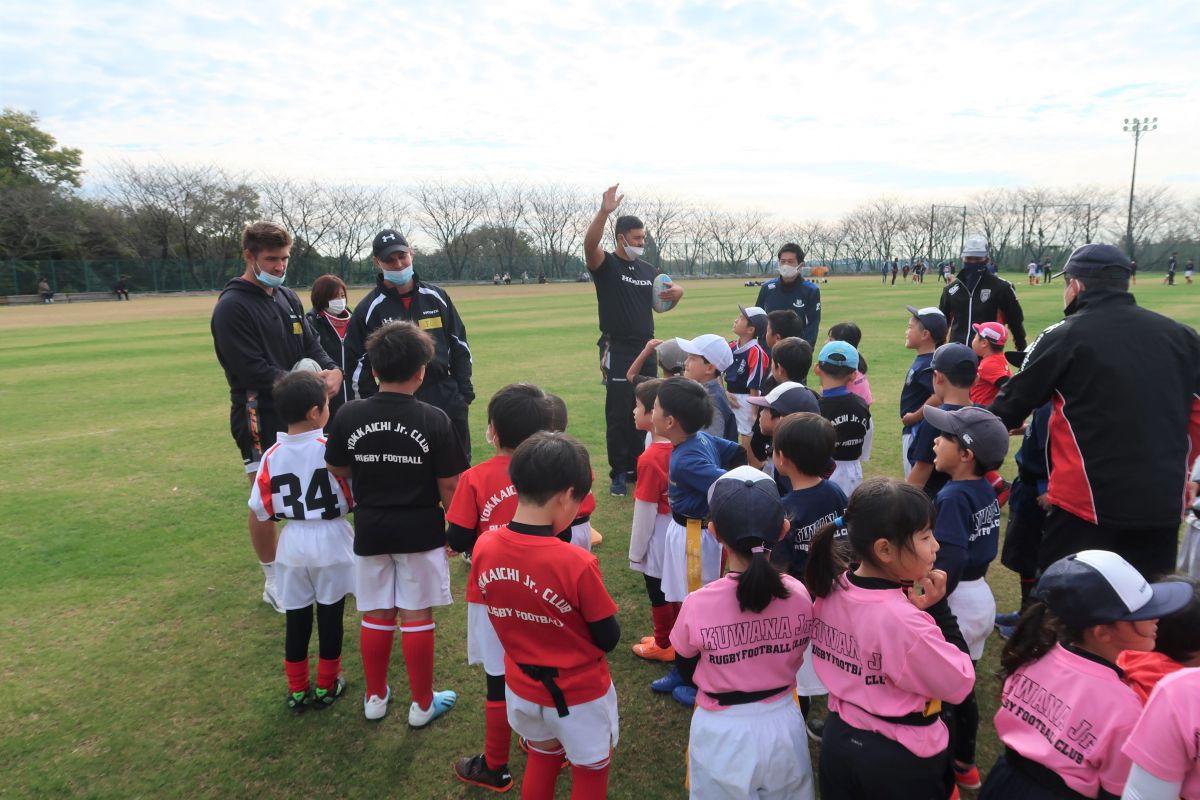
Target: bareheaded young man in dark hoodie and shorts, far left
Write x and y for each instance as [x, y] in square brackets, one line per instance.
[260, 333]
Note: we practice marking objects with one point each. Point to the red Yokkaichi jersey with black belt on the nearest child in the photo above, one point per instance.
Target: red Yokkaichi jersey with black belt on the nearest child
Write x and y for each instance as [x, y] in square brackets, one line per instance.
[542, 593]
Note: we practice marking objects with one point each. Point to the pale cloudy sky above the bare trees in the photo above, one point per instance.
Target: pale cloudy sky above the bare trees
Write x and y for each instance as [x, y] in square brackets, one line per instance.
[799, 110]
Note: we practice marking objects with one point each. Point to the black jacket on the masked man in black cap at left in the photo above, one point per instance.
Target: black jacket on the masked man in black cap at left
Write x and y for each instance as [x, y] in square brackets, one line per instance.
[448, 377]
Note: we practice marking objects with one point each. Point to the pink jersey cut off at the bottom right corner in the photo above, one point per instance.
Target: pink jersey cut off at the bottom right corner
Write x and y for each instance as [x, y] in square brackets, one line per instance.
[1167, 741]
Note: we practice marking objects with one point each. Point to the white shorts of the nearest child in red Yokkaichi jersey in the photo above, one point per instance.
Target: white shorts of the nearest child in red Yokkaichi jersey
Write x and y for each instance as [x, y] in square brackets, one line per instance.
[589, 733]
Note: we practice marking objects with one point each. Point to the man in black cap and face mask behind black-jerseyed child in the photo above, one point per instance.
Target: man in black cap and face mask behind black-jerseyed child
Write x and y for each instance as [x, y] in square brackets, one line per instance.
[400, 294]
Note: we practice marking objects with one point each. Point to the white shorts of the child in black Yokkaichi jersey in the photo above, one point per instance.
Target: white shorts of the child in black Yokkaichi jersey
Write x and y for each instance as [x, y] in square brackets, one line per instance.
[409, 581]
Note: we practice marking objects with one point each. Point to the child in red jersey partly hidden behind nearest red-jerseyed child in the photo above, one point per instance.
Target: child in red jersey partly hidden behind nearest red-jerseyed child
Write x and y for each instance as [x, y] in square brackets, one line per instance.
[487, 501]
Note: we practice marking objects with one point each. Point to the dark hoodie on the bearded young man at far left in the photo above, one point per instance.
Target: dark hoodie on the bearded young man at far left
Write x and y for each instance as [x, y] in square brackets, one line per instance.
[261, 336]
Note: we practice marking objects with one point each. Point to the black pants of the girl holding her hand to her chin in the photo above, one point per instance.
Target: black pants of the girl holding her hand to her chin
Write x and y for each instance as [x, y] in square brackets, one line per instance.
[863, 766]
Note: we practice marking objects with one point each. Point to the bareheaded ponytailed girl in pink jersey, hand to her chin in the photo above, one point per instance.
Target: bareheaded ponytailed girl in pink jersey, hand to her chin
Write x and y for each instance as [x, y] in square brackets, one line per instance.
[884, 659]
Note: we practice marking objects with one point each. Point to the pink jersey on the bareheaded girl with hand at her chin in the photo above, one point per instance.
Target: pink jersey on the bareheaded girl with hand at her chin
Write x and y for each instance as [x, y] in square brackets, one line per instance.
[878, 654]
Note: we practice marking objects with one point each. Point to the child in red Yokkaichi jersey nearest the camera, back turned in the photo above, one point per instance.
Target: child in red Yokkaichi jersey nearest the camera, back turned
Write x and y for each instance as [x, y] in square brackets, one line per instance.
[556, 622]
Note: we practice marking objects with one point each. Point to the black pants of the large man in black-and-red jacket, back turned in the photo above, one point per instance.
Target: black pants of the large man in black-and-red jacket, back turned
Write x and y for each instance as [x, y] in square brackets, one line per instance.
[1150, 550]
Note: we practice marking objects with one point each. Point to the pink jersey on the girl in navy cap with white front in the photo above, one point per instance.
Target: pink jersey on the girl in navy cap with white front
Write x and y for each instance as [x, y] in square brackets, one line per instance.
[1072, 714]
